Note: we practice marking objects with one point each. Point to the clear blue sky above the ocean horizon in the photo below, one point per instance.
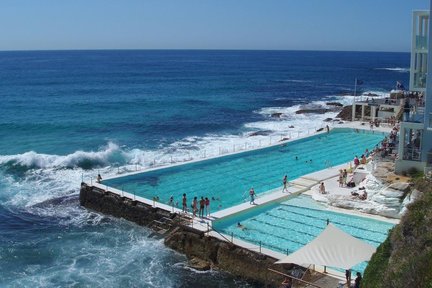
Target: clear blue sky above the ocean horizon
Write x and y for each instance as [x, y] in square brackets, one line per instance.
[364, 25]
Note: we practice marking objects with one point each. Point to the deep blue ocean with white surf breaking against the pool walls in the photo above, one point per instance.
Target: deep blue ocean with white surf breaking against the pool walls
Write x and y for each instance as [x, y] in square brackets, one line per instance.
[68, 115]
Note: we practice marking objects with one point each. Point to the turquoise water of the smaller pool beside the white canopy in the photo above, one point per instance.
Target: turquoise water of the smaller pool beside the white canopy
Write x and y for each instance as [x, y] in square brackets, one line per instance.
[287, 226]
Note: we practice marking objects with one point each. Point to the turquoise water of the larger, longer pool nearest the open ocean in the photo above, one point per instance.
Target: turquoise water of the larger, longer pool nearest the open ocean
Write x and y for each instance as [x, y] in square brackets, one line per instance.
[228, 179]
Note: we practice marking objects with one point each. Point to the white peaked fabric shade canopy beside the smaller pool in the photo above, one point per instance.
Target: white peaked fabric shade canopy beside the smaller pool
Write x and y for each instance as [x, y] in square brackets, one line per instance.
[333, 248]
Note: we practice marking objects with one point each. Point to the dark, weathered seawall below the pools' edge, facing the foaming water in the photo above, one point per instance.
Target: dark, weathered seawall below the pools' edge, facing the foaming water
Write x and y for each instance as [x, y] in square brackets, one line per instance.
[195, 244]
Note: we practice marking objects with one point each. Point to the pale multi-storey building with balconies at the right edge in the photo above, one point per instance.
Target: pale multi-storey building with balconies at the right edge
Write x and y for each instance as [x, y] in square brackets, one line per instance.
[415, 135]
